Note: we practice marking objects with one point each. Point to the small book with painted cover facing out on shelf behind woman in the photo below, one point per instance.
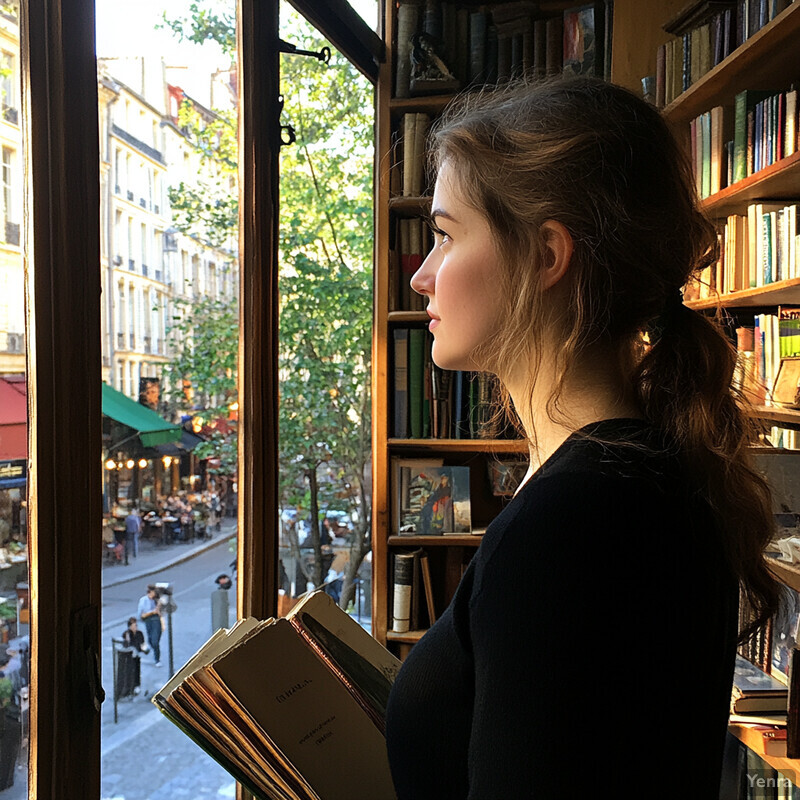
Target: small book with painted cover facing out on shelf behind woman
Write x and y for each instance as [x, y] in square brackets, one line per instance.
[435, 500]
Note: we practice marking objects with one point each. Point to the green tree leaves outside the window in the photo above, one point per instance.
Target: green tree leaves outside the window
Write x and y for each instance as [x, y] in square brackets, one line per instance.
[325, 281]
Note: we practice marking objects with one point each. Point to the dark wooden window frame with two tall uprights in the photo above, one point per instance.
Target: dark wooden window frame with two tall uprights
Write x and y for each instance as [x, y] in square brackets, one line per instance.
[62, 299]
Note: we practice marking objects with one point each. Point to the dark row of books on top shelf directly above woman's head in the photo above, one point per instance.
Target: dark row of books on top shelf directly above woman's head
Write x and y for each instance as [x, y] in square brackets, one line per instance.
[490, 44]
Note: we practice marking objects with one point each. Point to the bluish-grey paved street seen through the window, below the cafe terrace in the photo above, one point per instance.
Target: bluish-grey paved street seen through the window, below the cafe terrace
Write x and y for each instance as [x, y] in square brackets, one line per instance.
[144, 756]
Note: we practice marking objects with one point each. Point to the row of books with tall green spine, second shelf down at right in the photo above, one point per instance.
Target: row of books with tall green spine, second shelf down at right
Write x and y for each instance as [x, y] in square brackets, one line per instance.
[729, 144]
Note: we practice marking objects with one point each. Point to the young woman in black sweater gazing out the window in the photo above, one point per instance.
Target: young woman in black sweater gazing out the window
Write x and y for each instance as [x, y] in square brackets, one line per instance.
[591, 641]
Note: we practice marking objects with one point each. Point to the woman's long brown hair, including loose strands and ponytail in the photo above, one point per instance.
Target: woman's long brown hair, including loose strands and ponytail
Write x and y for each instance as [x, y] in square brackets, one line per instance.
[603, 163]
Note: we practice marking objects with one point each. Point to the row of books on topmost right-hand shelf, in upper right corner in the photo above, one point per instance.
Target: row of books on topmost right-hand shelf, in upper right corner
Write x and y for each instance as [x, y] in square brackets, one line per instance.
[706, 33]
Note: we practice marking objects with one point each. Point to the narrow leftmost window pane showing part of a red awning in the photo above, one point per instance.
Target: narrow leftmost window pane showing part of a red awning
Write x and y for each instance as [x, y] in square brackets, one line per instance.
[14, 618]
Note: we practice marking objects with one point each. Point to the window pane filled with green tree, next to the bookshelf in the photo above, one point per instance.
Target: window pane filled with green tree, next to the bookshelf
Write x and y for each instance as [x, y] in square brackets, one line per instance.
[325, 324]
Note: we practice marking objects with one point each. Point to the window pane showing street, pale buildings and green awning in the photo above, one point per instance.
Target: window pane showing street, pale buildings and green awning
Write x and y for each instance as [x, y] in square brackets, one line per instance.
[169, 266]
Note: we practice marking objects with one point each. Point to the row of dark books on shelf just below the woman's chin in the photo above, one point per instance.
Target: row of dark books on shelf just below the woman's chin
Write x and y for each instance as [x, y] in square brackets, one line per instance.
[432, 403]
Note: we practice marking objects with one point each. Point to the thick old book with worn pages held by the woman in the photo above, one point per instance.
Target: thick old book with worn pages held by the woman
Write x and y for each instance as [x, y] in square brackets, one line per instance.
[293, 708]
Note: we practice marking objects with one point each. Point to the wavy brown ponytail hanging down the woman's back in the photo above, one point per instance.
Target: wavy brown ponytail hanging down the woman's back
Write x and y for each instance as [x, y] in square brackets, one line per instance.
[684, 382]
